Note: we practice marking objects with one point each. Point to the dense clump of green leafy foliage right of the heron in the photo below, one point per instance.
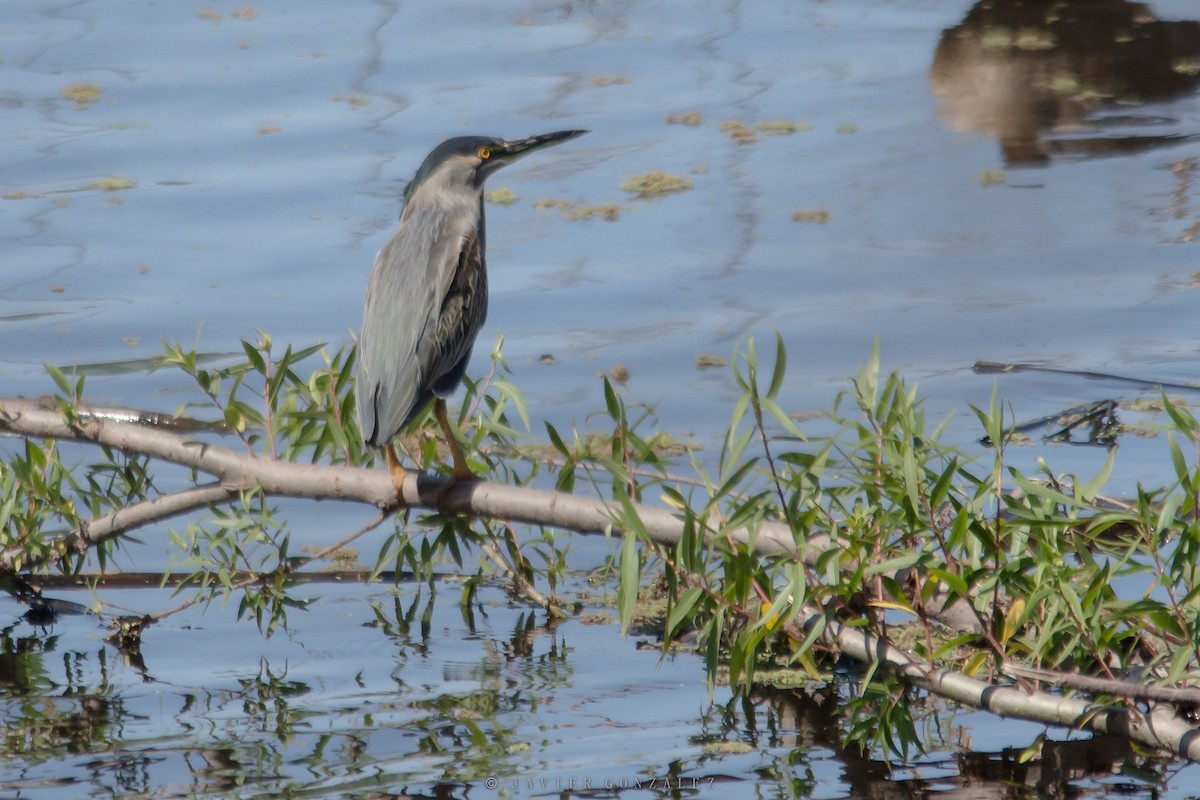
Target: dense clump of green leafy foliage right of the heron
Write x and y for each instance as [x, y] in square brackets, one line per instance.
[909, 527]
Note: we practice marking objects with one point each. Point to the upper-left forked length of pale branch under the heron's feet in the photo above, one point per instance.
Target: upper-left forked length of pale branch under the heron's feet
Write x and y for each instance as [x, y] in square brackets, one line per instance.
[236, 472]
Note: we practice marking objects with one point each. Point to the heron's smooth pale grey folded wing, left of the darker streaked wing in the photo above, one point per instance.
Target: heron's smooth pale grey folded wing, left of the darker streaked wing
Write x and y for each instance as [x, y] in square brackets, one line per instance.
[410, 282]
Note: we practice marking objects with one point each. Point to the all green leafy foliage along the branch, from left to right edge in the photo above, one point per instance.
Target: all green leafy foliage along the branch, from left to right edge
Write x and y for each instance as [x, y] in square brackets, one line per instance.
[887, 526]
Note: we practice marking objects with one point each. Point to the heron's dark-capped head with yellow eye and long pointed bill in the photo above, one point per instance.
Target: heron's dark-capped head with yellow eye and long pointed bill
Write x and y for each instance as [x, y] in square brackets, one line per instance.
[464, 164]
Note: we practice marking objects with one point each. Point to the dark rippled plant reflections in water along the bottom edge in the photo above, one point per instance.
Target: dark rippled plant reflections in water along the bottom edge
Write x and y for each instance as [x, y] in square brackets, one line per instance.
[443, 726]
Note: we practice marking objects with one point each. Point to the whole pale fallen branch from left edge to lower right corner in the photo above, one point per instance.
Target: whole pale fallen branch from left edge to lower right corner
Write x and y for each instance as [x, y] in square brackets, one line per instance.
[233, 472]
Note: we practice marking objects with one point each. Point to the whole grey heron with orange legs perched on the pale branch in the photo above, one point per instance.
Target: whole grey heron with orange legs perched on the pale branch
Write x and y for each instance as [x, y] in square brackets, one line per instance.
[428, 294]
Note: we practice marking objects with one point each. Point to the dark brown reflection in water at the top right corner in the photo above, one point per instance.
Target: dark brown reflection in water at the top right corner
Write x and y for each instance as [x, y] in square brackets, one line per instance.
[1042, 76]
